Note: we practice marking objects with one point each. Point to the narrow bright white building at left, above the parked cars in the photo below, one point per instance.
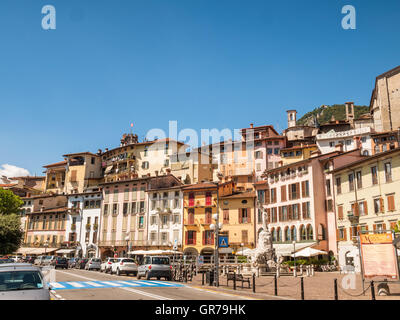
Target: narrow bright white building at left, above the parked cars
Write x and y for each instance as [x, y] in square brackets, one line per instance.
[82, 226]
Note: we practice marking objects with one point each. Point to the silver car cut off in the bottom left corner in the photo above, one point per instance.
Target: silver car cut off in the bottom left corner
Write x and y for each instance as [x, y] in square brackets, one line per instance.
[22, 281]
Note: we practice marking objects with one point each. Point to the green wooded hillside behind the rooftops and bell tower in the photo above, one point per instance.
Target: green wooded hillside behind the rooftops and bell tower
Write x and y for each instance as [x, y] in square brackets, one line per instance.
[325, 114]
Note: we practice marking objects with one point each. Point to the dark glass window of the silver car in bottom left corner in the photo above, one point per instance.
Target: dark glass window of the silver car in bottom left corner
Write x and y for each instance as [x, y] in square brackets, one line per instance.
[20, 280]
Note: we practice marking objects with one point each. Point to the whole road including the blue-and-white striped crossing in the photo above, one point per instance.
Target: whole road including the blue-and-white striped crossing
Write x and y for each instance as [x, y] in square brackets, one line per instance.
[73, 285]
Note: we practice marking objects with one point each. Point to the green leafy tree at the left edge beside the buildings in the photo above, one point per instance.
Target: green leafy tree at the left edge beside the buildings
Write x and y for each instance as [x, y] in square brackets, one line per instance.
[10, 222]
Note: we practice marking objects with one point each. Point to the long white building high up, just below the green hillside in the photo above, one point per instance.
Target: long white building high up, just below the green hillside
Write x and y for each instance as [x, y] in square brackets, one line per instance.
[349, 139]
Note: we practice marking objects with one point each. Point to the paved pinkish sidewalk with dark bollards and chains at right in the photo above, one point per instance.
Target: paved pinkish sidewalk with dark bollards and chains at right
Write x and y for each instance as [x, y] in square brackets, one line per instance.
[318, 287]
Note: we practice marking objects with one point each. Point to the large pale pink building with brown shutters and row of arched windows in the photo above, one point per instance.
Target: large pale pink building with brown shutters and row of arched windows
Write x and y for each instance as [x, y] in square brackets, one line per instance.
[295, 202]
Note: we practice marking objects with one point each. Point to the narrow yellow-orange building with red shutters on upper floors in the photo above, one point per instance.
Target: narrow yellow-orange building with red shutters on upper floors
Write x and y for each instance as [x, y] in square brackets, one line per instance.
[200, 204]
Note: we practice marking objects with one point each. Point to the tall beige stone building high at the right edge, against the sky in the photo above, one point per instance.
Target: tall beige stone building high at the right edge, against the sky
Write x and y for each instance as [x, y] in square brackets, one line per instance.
[385, 101]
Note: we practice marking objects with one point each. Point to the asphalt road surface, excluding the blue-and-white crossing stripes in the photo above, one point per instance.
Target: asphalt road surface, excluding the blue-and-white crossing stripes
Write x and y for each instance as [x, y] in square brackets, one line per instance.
[184, 292]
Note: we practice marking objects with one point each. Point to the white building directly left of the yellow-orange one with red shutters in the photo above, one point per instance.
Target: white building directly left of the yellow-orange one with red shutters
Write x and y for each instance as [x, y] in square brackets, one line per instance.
[165, 212]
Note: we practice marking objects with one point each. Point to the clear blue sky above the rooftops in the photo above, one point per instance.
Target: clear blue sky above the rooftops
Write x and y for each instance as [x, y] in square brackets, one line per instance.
[207, 64]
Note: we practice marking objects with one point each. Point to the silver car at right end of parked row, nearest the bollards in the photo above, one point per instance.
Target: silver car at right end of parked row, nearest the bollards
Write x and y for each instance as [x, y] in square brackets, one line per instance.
[155, 266]
